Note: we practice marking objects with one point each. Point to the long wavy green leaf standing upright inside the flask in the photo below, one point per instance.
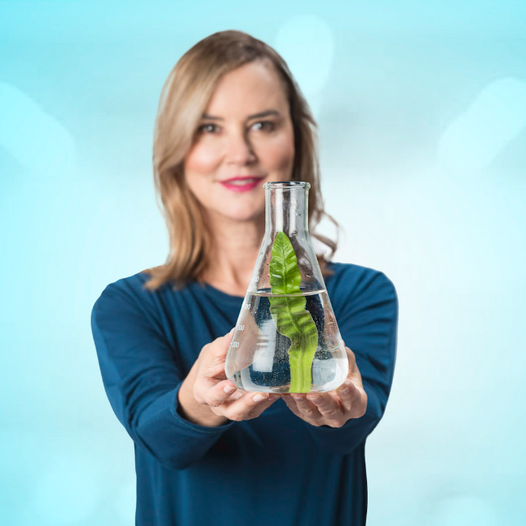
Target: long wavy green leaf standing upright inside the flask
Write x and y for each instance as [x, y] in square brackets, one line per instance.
[289, 314]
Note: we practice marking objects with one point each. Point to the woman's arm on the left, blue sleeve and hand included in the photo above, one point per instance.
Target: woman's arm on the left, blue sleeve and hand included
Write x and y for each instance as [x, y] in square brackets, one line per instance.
[147, 388]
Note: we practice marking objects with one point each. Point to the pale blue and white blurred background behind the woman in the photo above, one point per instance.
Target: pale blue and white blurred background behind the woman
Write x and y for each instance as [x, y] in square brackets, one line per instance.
[422, 115]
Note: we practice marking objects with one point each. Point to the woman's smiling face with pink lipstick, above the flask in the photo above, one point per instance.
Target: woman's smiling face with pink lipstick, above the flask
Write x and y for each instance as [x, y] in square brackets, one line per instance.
[246, 132]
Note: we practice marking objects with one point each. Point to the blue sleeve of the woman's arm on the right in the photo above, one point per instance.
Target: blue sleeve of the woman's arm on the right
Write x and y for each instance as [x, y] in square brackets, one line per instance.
[368, 325]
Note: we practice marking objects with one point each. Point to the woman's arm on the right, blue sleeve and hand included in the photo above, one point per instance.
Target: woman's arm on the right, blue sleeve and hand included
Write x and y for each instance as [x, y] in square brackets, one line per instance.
[368, 325]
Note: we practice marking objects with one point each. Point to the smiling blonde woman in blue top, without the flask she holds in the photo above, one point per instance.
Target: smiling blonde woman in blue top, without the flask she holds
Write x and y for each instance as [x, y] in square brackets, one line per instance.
[231, 118]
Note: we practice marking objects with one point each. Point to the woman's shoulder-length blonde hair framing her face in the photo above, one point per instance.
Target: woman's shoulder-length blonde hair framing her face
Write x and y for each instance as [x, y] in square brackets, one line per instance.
[183, 100]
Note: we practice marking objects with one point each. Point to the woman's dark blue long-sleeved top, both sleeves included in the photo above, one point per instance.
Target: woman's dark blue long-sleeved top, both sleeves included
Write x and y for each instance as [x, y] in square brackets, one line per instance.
[275, 469]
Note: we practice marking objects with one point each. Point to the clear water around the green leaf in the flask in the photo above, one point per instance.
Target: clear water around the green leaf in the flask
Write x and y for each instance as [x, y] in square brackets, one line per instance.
[258, 357]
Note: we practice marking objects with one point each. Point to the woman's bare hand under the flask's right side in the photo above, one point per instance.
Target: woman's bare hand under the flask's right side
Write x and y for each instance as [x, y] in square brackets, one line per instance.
[335, 407]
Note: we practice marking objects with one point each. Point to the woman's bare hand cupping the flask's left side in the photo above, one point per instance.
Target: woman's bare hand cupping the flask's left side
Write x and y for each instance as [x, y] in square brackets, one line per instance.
[207, 398]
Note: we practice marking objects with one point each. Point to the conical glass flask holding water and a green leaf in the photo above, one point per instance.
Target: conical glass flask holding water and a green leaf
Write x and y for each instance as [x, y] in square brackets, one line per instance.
[286, 338]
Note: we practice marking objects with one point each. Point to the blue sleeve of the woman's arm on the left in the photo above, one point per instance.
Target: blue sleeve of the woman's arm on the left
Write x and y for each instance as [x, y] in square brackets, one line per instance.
[141, 379]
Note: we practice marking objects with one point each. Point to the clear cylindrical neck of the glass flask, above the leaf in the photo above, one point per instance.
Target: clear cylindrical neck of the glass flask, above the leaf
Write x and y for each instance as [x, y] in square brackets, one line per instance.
[286, 209]
